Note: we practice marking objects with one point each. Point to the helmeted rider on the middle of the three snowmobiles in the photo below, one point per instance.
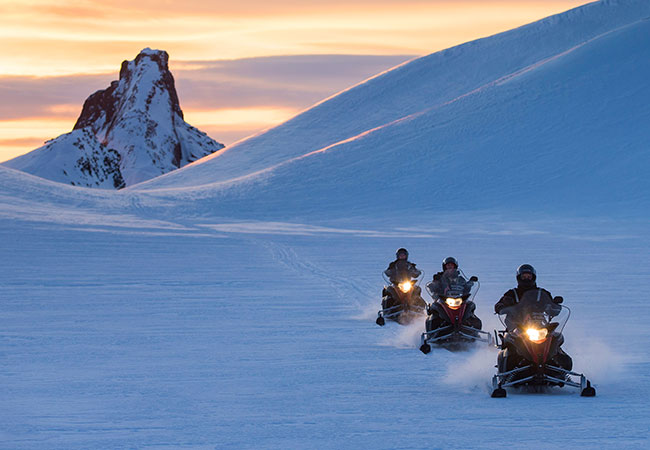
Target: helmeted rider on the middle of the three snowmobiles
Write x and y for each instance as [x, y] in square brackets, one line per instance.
[449, 278]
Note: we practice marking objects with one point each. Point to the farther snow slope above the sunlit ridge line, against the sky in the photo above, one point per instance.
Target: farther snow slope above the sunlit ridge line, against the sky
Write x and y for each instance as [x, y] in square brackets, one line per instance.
[414, 87]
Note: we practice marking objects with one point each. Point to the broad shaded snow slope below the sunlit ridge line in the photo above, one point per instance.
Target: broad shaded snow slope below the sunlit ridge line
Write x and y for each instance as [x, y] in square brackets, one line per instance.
[567, 135]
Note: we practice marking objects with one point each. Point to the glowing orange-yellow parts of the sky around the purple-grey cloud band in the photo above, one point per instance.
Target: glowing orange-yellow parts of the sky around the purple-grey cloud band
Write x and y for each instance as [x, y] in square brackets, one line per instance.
[79, 38]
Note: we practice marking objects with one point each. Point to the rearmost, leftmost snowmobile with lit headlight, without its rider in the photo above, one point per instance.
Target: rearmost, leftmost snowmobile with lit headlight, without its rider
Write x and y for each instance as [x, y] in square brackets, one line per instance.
[401, 300]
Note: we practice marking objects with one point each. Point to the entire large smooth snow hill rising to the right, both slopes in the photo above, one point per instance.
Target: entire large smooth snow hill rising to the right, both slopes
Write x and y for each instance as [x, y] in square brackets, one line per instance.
[537, 117]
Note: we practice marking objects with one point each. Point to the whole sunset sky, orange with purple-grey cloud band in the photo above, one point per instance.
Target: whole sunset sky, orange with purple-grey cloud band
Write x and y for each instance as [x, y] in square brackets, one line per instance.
[240, 67]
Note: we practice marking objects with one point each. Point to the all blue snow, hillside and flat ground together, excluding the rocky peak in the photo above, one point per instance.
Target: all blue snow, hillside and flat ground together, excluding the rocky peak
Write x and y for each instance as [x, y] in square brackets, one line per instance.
[232, 304]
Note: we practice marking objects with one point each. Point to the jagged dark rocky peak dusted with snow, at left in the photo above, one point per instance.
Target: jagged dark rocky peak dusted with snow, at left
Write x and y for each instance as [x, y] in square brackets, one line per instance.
[130, 132]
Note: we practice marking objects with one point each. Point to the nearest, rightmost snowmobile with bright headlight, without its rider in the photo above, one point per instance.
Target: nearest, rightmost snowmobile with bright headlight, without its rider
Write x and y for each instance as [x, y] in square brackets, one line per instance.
[530, 354]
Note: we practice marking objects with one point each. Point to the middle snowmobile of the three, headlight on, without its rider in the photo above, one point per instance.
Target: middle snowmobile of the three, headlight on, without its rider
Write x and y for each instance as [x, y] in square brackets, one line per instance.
[450, 320]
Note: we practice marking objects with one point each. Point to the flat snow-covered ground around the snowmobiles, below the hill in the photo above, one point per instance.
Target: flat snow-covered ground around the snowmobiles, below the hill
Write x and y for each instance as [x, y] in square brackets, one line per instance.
[147, 337]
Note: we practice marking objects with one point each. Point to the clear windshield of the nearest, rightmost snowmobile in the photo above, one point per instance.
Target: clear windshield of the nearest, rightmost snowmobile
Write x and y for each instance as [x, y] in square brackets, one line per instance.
[535, 309]
